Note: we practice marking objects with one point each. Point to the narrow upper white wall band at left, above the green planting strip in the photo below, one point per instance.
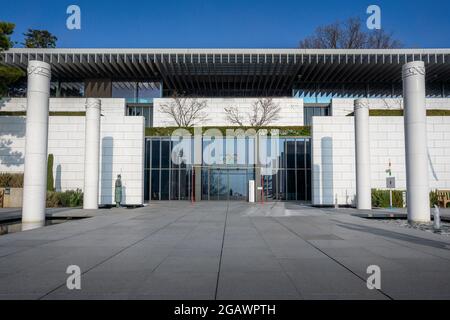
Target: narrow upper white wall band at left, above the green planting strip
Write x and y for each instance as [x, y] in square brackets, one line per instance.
[110, 106]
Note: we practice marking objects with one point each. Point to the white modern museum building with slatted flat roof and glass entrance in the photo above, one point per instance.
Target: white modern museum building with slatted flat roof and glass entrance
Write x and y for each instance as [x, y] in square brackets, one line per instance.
[315, 91]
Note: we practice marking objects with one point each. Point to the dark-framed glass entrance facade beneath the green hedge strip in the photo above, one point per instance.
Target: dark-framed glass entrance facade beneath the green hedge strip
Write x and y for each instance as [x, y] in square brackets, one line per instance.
[227, 179]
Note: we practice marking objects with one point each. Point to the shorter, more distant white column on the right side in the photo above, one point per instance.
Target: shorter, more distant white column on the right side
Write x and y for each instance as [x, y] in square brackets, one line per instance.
[362, 155]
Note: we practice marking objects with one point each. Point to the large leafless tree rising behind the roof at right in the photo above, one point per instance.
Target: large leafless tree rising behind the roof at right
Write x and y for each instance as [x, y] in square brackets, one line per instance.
[349, 34]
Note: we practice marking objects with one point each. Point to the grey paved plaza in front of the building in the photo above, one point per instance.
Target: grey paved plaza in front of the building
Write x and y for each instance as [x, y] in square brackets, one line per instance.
[224, 250]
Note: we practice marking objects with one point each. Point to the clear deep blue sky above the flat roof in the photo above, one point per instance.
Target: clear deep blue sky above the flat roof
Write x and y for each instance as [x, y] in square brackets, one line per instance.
[224, 23]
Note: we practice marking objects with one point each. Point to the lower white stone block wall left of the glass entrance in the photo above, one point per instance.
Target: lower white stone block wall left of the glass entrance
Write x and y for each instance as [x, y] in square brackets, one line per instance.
[122, 152]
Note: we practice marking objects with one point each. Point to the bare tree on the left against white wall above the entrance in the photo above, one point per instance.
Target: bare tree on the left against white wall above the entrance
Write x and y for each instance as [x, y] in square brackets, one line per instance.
[185, 111]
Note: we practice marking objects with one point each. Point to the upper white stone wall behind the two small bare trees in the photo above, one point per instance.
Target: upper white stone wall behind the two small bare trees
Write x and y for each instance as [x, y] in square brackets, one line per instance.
[291, 113]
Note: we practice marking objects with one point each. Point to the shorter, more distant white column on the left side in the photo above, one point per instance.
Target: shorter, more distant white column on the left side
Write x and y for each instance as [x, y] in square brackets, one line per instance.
[91, 153]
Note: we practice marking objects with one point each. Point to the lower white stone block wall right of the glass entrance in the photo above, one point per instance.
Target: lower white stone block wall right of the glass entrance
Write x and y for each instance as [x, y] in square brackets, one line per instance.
[333, 156]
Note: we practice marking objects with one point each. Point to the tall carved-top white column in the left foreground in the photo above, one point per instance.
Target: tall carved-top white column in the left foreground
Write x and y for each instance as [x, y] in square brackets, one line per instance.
[35, 173]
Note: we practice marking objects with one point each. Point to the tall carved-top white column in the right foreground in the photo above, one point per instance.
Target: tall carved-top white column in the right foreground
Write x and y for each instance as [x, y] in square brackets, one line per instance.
[413, 74]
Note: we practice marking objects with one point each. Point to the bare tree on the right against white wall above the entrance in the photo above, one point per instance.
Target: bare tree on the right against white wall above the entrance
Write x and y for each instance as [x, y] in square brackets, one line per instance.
[263, 112]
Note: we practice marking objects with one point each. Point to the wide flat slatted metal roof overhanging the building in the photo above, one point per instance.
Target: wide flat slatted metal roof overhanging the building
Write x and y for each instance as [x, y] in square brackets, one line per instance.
[256, 71]
